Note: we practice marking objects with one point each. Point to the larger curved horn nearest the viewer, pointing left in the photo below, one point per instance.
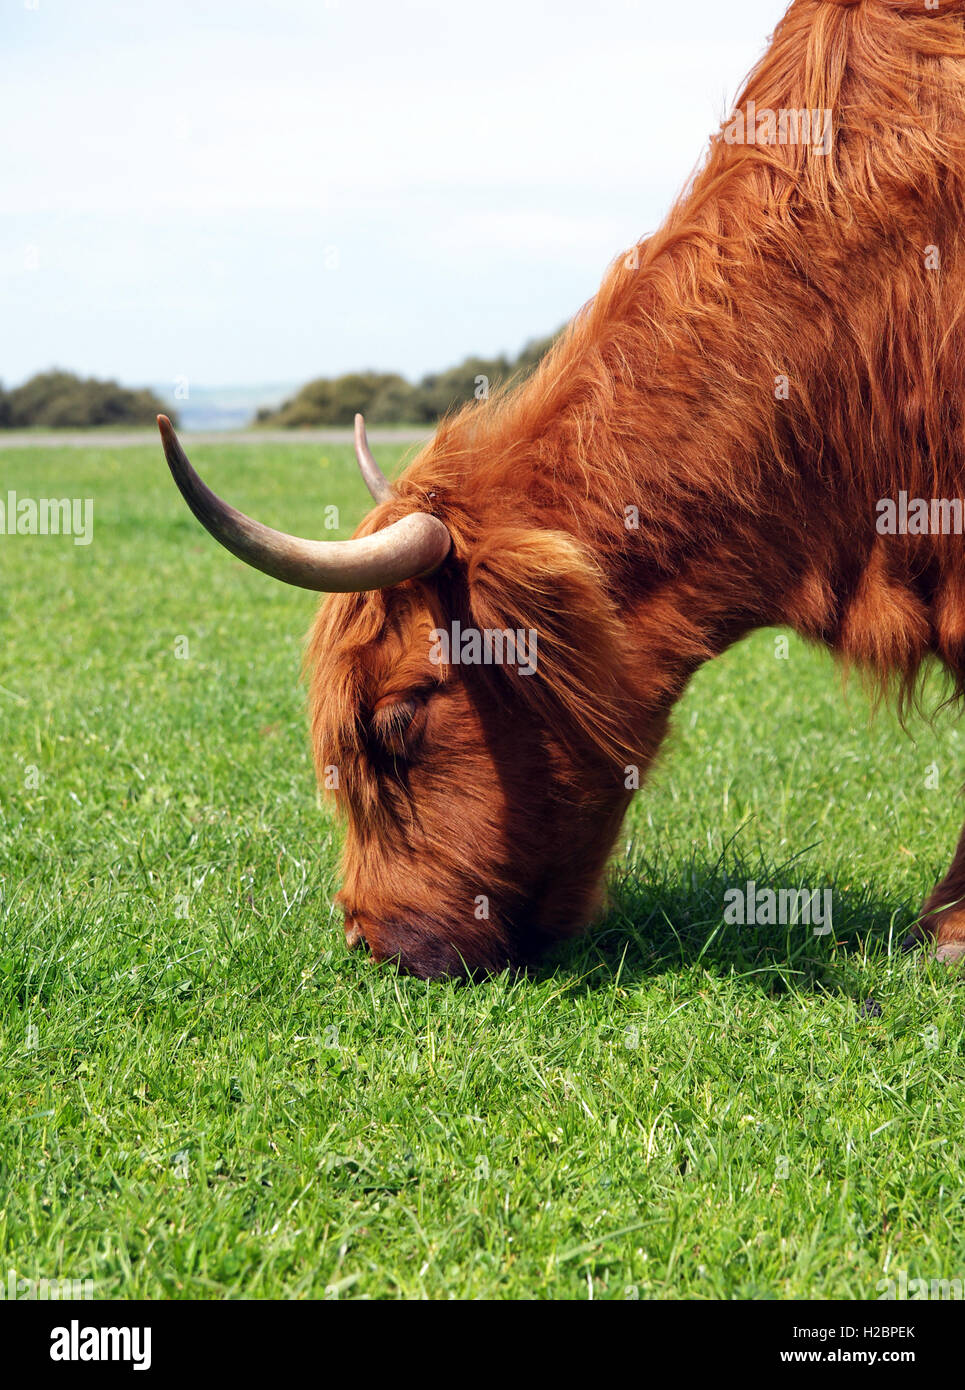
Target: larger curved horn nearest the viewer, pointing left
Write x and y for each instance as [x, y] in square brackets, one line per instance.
[408, 550]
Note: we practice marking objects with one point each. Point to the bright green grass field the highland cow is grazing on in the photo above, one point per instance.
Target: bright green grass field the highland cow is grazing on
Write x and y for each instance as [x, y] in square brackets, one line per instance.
[205, 1096]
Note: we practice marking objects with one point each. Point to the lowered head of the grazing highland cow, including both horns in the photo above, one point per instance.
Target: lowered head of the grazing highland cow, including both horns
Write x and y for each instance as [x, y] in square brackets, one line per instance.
[471, 715]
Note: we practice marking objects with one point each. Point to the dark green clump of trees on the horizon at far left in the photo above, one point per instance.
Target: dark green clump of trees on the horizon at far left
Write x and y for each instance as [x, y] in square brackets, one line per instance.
[62, 400]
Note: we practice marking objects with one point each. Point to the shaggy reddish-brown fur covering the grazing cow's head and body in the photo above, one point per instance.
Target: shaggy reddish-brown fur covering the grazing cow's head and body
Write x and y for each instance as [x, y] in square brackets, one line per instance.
[475, 789]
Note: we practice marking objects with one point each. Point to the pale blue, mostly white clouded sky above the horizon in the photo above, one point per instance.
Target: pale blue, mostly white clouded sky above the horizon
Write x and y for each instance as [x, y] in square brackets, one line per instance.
[254, 193]
